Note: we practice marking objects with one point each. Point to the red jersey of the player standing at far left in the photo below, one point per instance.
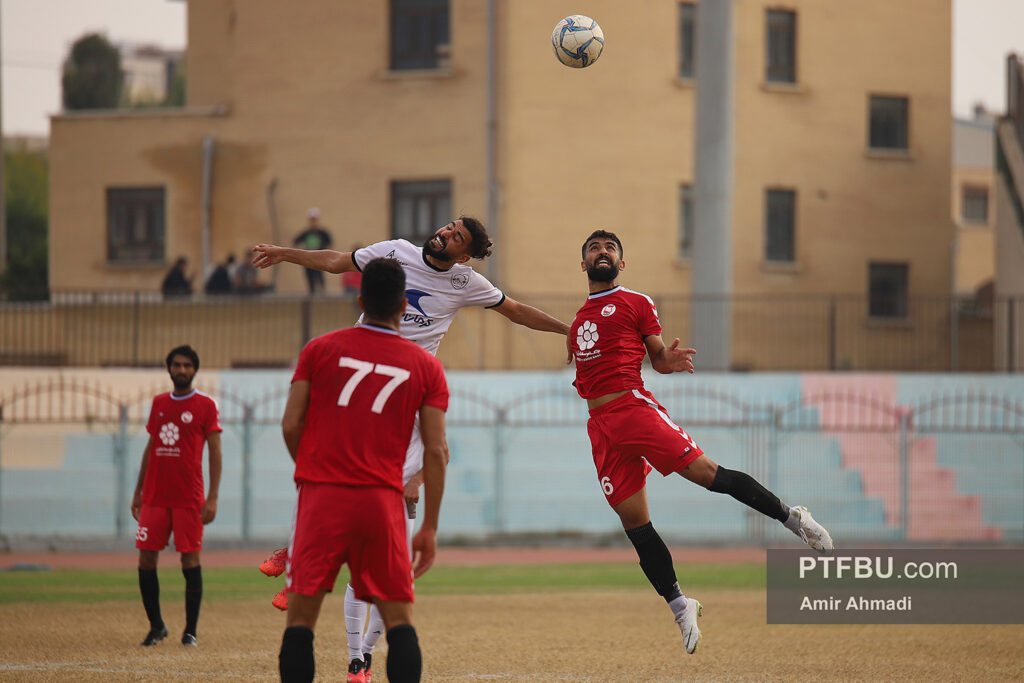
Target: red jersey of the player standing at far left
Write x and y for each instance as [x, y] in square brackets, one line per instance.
[179, 426]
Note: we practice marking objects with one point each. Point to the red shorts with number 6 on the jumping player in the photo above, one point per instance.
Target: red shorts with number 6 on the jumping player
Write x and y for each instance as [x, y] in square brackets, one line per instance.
[629, 433]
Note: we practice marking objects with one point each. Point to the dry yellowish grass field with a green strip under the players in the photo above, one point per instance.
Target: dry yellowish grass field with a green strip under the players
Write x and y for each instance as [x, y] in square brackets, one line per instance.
[494, 623]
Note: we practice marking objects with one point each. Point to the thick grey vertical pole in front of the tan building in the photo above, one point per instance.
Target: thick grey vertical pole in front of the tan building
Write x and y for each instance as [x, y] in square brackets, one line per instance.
[711, 316]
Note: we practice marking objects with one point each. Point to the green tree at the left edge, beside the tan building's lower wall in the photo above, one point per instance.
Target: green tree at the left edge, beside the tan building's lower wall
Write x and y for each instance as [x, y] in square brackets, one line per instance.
[26, 175]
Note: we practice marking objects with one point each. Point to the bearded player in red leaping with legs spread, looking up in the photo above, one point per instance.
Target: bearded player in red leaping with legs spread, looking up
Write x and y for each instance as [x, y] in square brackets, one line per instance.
[631, 433]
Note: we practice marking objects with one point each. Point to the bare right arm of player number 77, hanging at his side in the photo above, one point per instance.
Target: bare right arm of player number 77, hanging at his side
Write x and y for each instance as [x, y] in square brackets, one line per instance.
[435, 463]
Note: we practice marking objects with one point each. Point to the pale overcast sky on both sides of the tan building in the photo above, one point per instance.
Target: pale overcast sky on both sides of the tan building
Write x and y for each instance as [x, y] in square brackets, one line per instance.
[35, 36]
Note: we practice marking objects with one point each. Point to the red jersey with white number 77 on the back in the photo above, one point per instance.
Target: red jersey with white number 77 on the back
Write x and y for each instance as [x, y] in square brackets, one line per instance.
[367, 386]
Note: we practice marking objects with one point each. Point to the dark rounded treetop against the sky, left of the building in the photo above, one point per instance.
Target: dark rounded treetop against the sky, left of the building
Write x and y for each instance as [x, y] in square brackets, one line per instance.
[93, 76]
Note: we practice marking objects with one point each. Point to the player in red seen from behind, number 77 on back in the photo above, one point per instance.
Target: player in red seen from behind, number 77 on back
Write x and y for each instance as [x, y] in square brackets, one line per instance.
[352, 410]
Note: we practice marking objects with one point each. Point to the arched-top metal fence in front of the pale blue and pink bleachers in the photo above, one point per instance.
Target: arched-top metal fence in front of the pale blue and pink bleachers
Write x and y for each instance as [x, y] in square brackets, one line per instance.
[945, 468]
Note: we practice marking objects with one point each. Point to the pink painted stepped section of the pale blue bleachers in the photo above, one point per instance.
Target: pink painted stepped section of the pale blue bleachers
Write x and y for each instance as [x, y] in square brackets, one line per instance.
[936, 511]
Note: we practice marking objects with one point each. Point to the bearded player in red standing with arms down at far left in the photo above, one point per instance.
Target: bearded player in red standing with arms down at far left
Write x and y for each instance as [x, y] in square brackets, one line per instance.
[169, 494]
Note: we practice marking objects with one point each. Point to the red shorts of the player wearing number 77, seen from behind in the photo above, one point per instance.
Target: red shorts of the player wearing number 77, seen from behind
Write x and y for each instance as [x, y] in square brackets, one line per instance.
[362, 528]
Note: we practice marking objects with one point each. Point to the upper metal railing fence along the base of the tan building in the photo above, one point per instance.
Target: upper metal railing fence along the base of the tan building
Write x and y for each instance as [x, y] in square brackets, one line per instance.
[795, 333]
